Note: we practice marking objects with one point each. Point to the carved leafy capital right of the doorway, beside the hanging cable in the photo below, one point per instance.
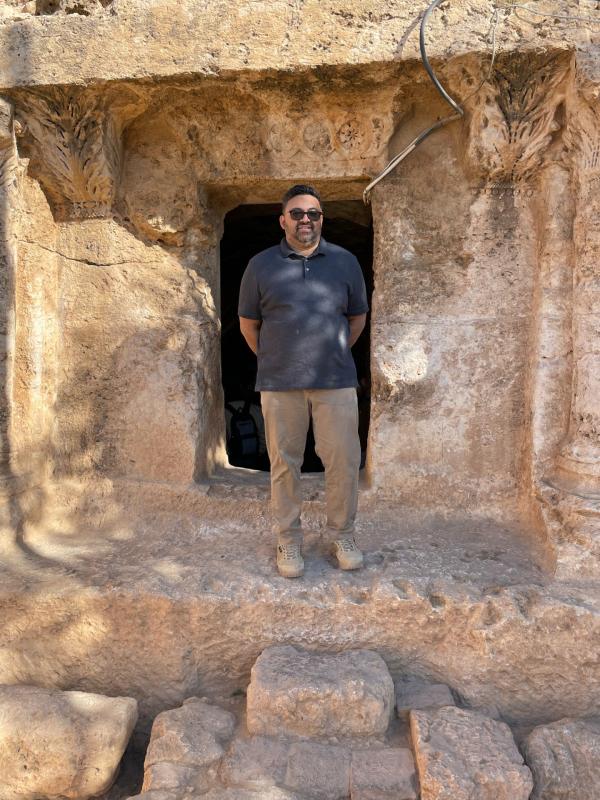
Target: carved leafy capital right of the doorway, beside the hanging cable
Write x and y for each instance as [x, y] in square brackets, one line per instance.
[514, 117]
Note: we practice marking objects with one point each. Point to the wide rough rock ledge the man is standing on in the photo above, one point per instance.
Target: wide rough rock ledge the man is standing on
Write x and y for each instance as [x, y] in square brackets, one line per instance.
[168, 604]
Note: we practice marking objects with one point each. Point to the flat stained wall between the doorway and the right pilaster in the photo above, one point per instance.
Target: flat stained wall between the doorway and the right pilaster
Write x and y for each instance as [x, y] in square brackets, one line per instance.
[451, 334]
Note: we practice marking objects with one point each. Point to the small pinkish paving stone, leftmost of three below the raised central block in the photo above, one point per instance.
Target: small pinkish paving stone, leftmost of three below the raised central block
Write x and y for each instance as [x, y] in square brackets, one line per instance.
[255, 763]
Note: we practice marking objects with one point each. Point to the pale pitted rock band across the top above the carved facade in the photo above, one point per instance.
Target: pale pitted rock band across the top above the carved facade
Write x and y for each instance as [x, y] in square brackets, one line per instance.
[338, 34]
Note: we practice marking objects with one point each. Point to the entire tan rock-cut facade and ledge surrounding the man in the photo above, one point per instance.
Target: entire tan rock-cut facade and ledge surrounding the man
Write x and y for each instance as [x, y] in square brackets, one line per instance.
[144, 148]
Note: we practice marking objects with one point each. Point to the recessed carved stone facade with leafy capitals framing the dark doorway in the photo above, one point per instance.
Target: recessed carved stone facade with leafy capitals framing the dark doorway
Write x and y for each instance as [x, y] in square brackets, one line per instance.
[482, 400]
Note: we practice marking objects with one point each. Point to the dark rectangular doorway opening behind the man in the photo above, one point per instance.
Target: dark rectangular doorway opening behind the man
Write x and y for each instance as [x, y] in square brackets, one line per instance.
[248, 230]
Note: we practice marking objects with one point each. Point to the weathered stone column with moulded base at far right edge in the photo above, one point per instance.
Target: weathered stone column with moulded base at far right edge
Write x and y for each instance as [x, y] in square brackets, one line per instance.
[575, 484]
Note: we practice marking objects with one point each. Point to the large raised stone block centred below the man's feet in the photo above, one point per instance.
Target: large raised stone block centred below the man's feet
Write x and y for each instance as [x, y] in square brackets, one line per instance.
[297, 693]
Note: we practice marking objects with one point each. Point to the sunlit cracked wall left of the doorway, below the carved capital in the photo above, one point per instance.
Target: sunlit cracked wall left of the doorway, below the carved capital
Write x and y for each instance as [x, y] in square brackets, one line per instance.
[113, 341]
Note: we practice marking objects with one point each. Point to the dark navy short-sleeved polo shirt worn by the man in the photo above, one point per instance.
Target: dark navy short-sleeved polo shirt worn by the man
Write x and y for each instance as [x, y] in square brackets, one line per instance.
[303, 303]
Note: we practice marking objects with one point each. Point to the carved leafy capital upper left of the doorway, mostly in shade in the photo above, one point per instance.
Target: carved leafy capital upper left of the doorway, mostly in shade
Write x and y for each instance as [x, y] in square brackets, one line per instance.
[74, 143]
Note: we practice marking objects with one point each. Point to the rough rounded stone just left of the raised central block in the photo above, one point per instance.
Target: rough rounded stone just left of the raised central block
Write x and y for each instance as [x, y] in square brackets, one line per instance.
[186, 746]
